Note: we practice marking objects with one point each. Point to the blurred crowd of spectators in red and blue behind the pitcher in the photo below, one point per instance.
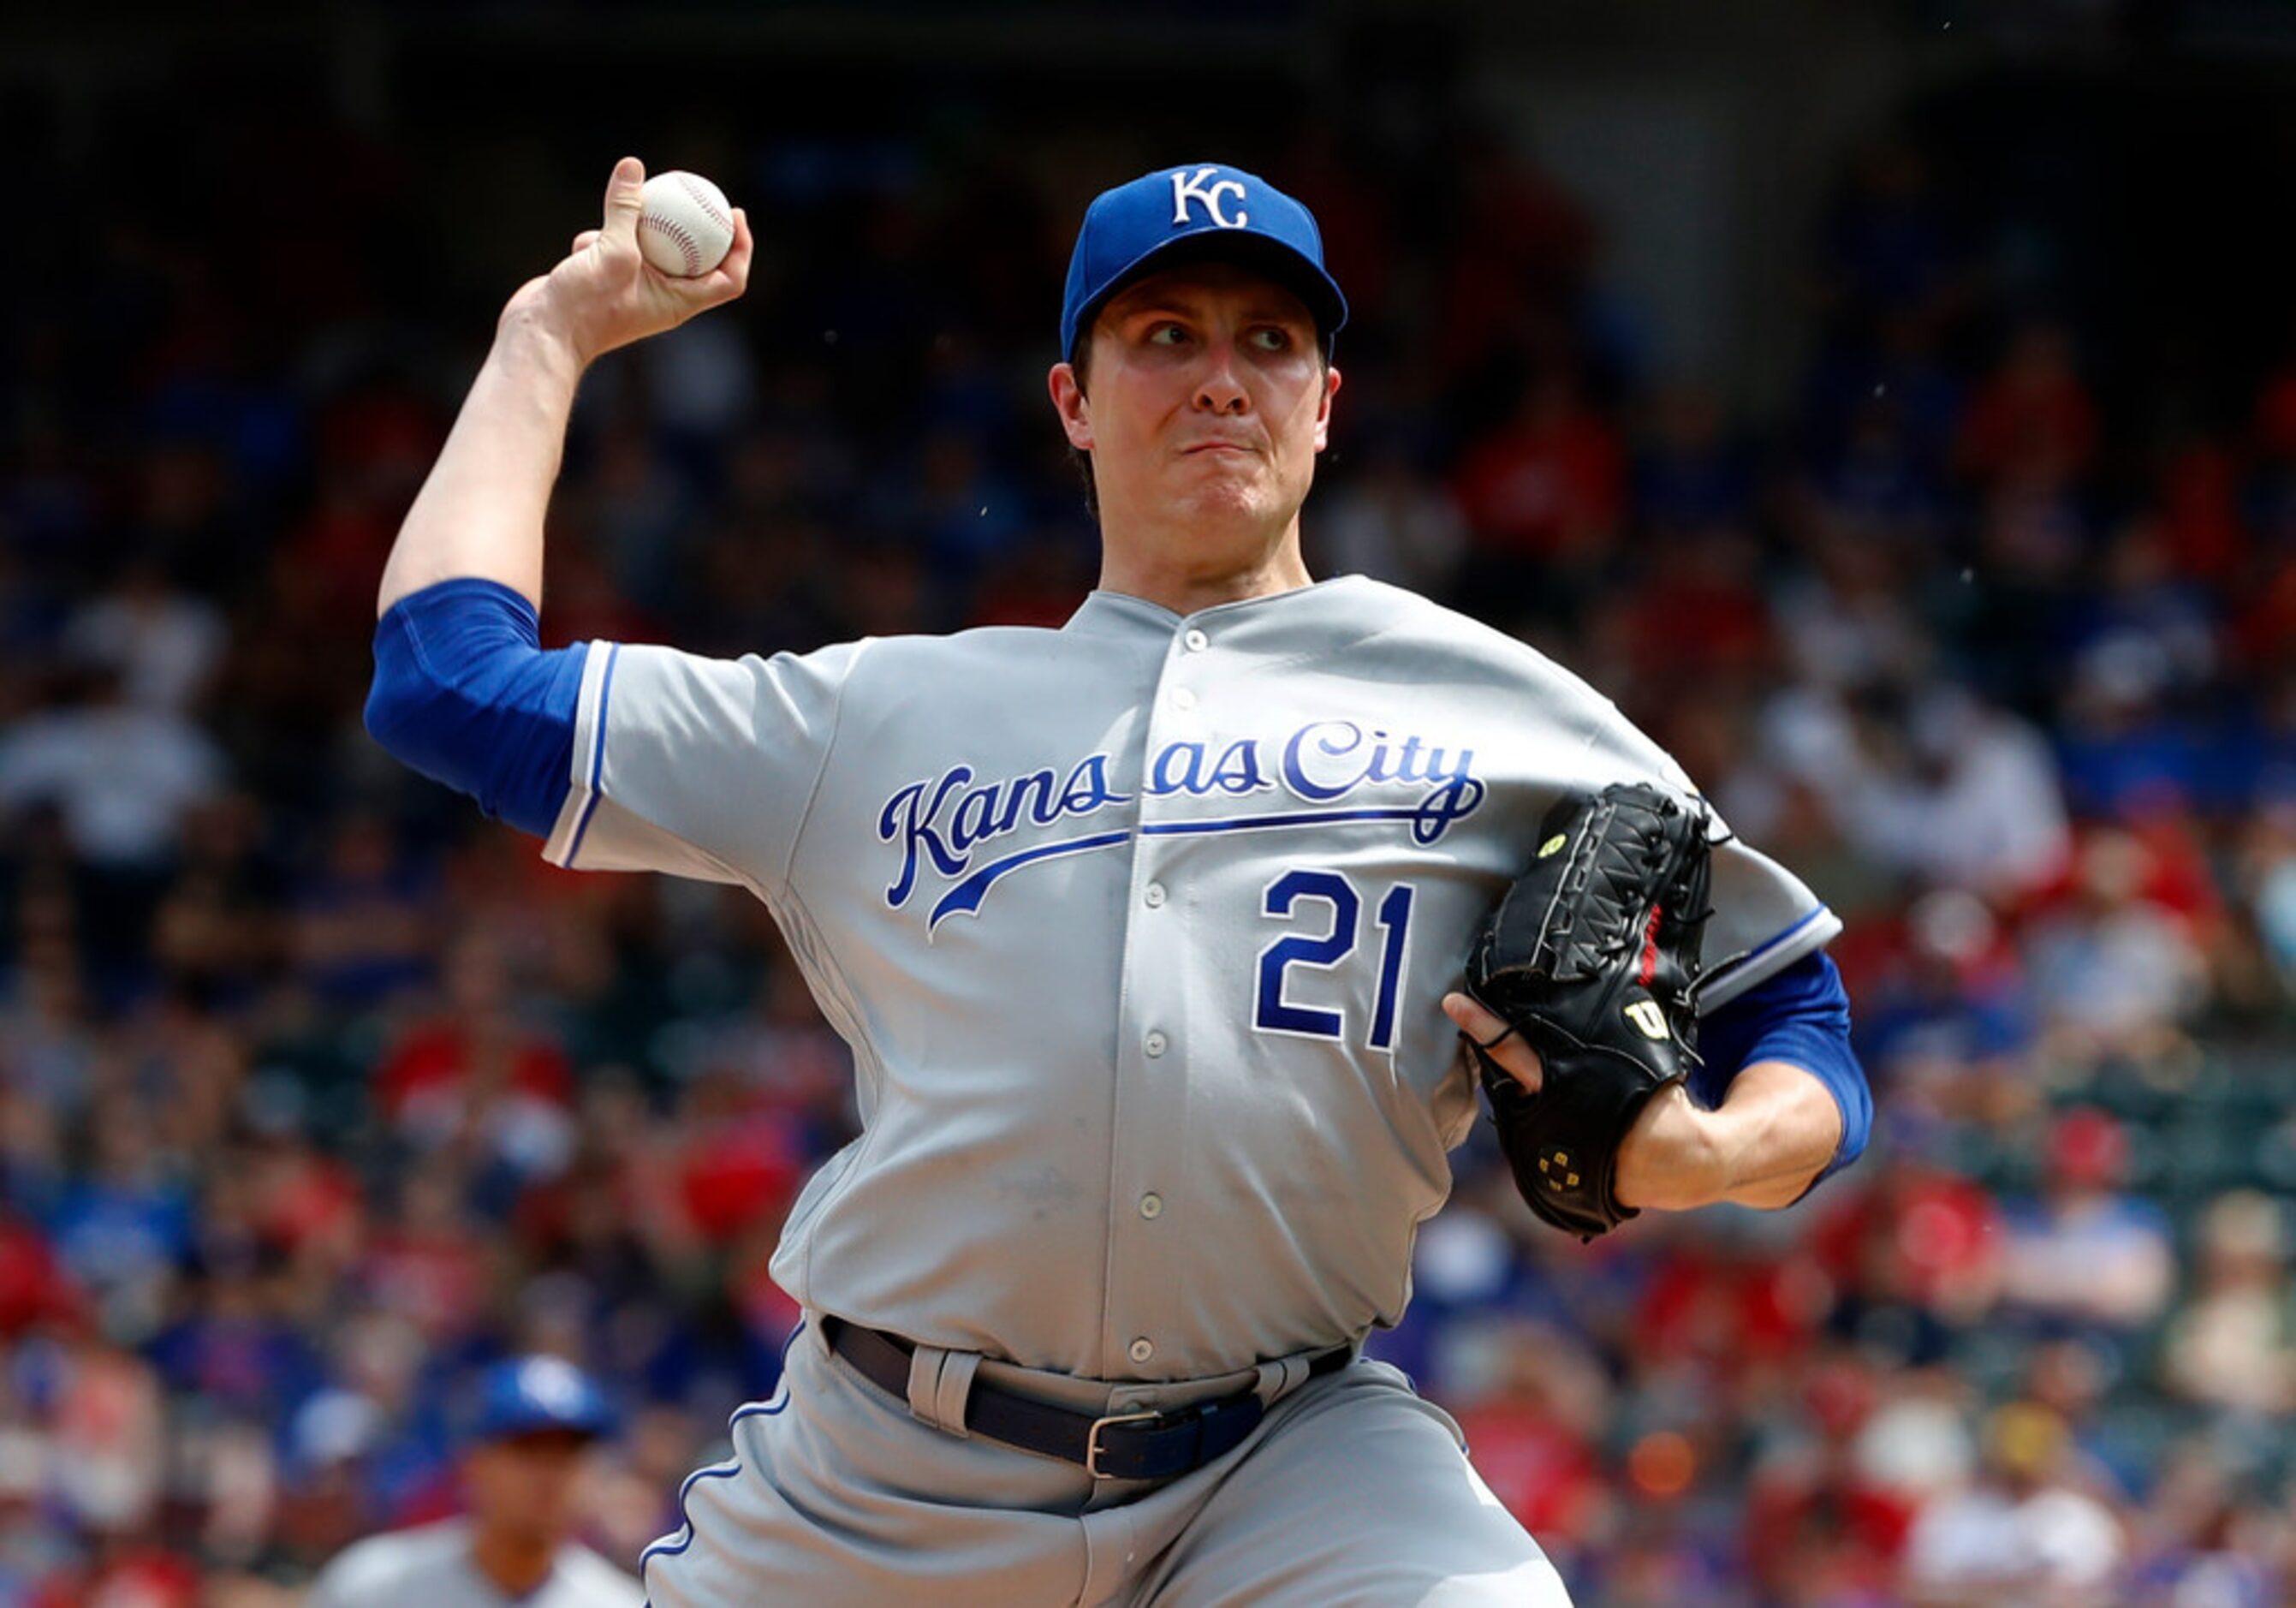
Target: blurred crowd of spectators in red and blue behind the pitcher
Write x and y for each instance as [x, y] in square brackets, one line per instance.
[318, 1092]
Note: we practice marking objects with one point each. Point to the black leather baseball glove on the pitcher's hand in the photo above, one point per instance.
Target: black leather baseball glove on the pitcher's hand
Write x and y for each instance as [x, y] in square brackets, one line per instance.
[1595, 959]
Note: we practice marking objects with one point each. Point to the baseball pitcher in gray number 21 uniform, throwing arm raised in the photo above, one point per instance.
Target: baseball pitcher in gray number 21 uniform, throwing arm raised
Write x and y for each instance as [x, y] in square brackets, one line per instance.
[1151, 943]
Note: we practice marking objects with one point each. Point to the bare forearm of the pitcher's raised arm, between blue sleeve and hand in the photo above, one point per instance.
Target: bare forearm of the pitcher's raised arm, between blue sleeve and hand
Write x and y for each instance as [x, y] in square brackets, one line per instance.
[483, 504]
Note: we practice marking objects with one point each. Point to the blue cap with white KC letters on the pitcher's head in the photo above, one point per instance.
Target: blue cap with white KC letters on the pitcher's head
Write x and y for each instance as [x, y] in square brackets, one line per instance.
[1193, 212]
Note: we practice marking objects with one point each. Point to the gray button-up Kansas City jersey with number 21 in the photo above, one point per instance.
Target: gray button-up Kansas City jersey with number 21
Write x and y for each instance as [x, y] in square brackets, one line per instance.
[1138, 931]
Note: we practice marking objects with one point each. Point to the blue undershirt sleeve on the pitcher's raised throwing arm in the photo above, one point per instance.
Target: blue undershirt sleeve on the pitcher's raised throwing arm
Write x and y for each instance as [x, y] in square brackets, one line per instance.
[465, 695]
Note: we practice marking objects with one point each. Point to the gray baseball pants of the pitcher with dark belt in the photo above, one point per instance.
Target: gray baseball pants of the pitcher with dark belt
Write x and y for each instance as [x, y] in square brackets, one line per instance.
[1351, 1494]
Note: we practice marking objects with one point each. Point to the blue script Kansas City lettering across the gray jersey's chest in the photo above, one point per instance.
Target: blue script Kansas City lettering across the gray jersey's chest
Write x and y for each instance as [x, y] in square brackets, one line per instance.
[1335, 766]
